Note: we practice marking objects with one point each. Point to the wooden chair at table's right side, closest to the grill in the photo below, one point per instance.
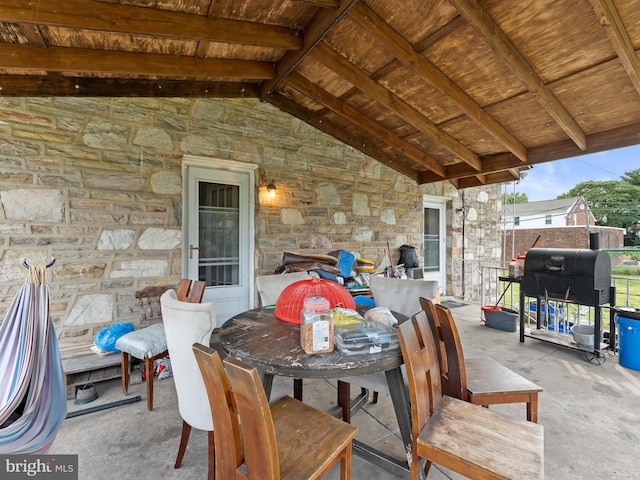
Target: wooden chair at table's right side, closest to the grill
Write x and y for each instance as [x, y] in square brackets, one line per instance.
[479, 380]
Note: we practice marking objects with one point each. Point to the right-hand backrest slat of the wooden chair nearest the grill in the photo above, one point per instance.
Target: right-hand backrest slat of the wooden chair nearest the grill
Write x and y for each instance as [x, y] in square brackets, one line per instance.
[454, 383]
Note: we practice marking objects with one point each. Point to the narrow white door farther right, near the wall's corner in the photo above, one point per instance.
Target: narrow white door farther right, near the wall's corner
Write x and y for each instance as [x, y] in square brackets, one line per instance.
[435, 242]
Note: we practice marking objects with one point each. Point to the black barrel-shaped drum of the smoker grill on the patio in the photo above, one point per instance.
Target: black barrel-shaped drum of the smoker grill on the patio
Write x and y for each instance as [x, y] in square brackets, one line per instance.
[575, 275]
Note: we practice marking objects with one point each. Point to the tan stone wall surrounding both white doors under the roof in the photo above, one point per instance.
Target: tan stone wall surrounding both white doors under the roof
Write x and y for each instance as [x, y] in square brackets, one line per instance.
[96, 183]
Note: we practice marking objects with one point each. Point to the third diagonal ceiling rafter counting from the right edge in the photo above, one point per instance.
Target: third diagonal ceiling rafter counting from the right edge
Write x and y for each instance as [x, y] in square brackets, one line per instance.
[405, 52]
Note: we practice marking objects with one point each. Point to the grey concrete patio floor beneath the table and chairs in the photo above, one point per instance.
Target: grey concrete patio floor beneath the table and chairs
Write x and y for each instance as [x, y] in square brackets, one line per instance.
[590, 413]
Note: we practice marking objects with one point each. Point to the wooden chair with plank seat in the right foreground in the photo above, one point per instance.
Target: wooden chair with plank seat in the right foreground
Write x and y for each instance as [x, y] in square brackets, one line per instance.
[470, 440]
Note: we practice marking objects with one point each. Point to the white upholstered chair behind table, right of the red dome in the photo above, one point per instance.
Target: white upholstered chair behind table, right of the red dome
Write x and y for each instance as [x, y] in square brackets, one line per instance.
[398, 295]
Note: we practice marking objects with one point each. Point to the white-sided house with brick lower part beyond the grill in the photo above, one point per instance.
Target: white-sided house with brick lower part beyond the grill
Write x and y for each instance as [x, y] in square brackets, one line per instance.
[562, 223]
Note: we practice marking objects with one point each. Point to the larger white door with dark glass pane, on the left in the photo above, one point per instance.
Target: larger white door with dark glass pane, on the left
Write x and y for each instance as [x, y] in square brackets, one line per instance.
[219, 237]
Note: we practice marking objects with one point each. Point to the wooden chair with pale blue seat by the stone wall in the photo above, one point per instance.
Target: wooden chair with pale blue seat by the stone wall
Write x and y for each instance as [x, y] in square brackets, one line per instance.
[149, 343]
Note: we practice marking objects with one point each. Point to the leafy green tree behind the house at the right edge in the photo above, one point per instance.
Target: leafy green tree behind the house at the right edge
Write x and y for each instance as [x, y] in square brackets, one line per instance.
[613, 204]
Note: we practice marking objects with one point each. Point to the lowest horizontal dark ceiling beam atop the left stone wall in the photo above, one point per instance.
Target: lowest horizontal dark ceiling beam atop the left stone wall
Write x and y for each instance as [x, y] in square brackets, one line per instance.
[58, 85]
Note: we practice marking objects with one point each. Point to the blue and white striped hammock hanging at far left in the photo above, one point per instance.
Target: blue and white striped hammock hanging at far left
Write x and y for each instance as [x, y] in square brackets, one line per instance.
[32, 392]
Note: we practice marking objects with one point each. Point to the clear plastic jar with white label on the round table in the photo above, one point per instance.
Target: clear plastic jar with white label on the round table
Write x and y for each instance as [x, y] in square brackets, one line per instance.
[316, 326]
